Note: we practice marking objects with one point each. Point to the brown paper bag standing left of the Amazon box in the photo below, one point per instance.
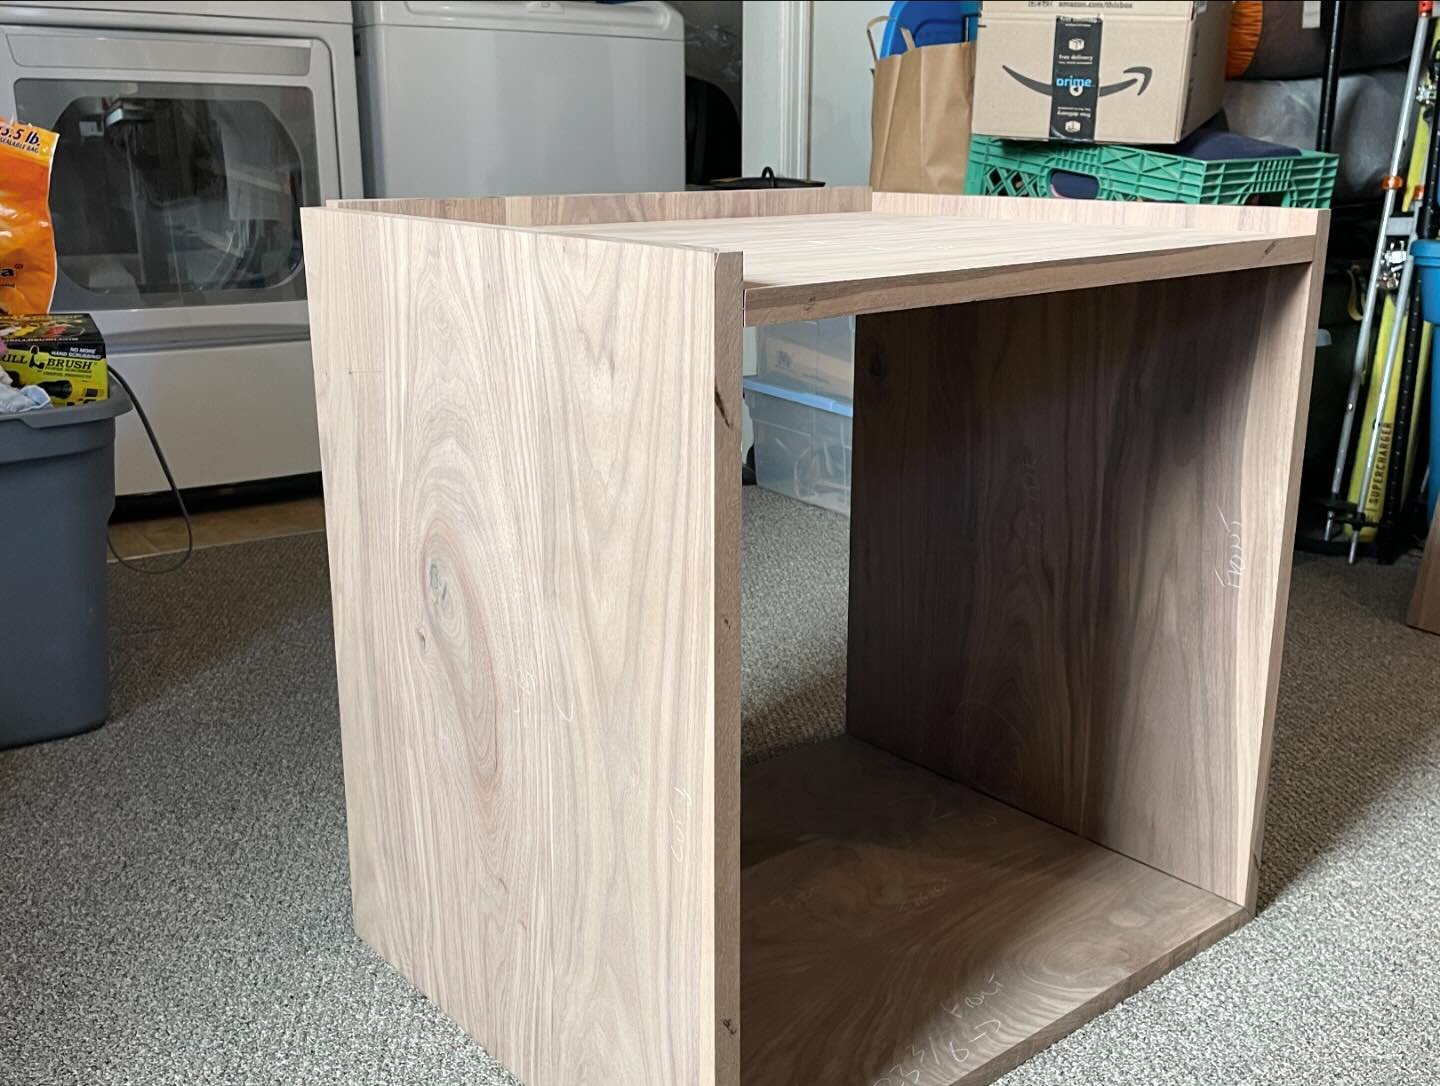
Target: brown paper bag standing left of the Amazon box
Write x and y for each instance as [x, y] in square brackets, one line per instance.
[921, 117]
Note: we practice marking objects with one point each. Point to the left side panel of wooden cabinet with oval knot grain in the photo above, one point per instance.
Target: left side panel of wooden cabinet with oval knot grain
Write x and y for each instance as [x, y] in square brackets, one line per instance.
[535, 594]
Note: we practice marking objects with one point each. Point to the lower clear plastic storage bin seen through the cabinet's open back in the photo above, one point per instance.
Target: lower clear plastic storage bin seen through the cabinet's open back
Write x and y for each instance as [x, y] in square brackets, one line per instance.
[803, 443]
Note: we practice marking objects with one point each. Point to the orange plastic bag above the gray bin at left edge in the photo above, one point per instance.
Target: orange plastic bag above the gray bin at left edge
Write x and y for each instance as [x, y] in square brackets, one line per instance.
[27, 238]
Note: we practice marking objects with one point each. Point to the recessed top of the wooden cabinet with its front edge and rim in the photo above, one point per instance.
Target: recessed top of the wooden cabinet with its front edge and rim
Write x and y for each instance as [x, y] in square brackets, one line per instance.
[846, 251]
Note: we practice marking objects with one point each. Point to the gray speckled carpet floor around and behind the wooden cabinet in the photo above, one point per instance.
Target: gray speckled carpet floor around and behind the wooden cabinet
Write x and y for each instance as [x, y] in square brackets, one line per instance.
[174, 888]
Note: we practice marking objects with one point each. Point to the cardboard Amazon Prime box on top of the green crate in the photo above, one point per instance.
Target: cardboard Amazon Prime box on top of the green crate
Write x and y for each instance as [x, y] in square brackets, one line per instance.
[1099, 71]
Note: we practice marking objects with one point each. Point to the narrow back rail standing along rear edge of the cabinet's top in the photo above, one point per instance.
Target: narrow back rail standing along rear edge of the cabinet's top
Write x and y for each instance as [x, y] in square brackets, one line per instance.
[607, 208]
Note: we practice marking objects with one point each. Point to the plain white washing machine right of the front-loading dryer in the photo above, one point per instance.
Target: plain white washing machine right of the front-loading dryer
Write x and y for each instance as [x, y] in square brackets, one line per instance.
[510, 99]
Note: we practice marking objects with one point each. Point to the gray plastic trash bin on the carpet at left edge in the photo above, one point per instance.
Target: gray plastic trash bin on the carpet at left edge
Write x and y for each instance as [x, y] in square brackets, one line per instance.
[57, 495]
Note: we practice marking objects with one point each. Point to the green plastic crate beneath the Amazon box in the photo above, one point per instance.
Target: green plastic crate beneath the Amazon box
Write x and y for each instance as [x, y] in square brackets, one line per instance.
[1010, 168]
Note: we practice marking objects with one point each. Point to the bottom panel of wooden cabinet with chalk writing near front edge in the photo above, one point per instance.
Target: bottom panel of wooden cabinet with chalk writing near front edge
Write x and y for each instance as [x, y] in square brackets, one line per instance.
[904, 931]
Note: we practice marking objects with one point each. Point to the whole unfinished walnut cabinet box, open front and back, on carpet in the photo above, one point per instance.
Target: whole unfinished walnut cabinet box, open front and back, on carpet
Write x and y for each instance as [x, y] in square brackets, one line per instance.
[1078, 441]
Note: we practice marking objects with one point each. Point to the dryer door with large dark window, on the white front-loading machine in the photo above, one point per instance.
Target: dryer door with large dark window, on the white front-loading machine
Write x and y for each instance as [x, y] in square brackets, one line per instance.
[179, 178]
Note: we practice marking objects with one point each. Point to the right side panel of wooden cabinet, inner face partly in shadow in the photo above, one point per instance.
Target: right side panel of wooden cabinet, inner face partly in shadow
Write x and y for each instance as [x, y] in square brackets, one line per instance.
[1072, 526]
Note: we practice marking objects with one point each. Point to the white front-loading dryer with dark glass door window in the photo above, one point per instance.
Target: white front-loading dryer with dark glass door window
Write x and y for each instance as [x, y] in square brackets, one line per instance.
[191, 138]
